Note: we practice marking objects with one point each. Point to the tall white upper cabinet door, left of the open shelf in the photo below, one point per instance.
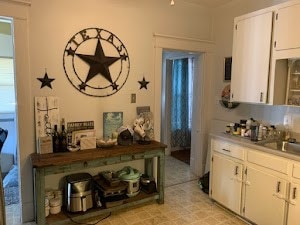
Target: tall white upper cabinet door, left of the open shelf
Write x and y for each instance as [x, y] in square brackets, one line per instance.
[250, 59]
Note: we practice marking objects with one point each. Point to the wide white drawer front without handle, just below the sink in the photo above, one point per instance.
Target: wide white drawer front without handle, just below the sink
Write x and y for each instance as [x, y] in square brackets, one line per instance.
[268, 161]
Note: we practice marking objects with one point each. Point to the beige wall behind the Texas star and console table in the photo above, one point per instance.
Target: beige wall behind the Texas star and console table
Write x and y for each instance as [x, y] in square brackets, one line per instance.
[53, 23]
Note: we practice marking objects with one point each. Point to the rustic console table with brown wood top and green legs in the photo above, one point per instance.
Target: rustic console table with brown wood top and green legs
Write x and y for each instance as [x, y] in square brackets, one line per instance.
[55, 163]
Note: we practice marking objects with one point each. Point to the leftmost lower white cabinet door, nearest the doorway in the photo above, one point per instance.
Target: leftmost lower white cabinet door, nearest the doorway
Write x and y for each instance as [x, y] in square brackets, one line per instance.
[227, 182]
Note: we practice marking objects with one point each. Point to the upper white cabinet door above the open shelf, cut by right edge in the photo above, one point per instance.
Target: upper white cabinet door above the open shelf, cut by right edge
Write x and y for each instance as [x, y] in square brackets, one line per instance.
[287, 33]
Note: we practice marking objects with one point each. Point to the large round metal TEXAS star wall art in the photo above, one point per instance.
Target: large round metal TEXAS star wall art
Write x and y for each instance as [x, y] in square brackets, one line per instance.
[96, 62]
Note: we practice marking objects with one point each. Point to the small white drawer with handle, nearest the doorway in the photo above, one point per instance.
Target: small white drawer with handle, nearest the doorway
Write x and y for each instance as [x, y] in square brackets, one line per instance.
[228, 148]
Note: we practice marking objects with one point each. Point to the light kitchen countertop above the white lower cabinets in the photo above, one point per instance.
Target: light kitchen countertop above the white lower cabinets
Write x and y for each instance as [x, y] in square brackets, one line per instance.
[250, 144]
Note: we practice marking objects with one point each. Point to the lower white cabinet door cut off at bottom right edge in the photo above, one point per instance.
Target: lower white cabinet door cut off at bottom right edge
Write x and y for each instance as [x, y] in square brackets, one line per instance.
[294, 204]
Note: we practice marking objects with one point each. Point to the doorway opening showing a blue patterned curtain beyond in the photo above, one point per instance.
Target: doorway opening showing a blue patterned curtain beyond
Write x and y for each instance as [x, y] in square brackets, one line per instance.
[178, 76]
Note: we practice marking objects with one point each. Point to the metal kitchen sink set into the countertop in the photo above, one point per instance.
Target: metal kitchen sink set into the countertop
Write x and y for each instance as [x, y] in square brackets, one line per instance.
[284, 146]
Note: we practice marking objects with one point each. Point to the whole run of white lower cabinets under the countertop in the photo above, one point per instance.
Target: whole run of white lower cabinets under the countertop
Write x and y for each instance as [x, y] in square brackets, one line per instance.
[261, 187]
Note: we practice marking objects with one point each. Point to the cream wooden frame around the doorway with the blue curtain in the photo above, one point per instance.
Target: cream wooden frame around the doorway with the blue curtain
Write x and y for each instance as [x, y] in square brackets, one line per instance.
[200, 128]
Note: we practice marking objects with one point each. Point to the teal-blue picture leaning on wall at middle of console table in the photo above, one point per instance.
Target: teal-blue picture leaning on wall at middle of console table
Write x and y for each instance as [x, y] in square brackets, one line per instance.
[111, 122]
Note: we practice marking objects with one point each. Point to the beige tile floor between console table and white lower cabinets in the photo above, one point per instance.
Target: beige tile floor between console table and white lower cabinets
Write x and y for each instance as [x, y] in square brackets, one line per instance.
[184, 204]
